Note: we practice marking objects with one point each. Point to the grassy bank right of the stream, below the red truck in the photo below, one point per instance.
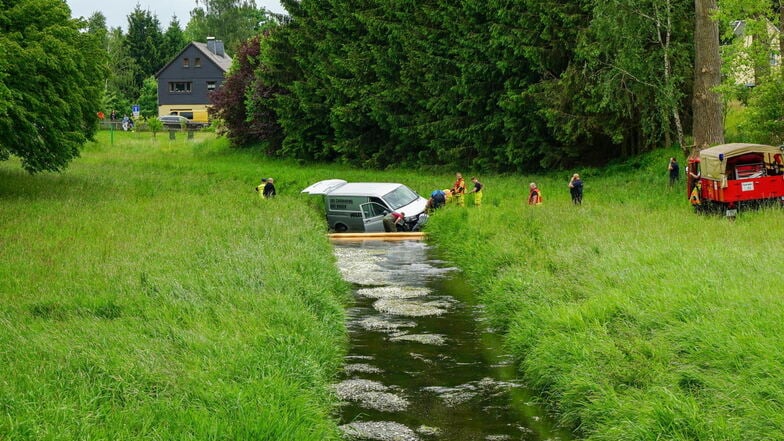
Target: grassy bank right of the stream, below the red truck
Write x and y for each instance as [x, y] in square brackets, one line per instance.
[636, 319]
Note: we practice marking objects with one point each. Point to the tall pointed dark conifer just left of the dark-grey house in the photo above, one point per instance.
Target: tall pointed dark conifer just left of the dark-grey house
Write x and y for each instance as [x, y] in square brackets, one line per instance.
[145, 44]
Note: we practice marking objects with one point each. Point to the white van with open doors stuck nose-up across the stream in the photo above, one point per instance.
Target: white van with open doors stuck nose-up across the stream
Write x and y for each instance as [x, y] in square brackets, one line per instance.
[361, 206]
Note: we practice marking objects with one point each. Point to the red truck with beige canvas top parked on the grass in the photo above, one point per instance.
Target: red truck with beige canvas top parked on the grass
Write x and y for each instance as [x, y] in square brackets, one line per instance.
[728, 176]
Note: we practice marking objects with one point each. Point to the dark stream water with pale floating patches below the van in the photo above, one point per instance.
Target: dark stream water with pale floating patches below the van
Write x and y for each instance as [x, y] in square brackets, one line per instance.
[422, 363]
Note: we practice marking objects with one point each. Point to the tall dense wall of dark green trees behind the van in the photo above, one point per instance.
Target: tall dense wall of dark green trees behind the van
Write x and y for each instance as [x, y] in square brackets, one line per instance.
[498, 84]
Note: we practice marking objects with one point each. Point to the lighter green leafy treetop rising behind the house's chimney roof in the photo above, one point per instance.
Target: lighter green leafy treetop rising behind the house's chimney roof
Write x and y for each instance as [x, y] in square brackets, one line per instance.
[232, 21]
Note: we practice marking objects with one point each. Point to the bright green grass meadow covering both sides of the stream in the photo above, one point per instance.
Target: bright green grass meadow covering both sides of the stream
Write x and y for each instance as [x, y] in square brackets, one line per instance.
[148, 293]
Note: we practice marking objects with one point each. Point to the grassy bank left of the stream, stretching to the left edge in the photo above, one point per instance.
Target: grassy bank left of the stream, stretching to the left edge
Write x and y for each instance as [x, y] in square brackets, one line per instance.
[147, 293]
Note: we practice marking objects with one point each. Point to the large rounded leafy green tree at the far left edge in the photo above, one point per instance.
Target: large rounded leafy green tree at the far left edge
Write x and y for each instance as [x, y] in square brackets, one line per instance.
[51, 77]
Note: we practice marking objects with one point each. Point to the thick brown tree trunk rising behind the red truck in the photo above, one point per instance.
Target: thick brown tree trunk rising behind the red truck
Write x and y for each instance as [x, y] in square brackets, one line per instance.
[708, 127]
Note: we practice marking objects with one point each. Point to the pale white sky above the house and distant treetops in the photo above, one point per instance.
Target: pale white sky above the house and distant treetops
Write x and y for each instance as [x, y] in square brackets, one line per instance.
[117, 11]
